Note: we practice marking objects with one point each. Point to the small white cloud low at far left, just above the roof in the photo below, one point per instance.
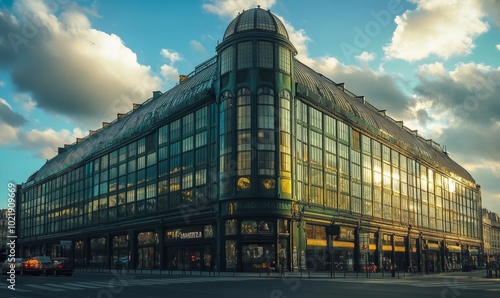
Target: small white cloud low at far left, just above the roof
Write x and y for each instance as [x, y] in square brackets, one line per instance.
[45, 142]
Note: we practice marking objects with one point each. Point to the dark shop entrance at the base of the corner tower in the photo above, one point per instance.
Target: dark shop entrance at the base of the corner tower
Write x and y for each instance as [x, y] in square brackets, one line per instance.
[257, 256]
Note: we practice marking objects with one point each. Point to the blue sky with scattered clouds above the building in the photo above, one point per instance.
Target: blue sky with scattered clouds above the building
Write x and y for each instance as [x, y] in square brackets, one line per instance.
[66, 66]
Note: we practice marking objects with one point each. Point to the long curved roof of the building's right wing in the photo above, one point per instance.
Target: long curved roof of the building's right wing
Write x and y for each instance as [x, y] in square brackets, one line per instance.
[357, 109]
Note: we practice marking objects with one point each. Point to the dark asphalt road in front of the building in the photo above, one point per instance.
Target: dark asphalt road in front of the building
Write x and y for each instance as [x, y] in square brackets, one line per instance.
[105, 285]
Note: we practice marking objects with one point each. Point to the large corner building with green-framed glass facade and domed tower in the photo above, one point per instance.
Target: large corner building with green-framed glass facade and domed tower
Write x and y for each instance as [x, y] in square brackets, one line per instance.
[244, 163]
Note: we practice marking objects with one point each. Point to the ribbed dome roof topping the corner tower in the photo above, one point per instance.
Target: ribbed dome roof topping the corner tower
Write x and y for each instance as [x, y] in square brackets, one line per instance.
[256, 19]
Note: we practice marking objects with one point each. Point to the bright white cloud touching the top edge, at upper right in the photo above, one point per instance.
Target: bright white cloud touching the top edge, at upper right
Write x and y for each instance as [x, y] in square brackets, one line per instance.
[441, 28]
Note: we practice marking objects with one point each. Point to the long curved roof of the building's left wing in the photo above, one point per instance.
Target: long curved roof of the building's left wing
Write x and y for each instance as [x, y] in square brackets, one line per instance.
[196, 87]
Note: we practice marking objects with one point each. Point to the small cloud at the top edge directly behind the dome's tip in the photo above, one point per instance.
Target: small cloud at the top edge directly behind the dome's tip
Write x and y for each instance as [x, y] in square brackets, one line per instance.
[231, 8]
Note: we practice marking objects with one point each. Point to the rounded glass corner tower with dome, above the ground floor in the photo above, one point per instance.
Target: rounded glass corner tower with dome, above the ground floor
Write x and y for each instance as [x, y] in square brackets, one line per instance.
[255, 88]
